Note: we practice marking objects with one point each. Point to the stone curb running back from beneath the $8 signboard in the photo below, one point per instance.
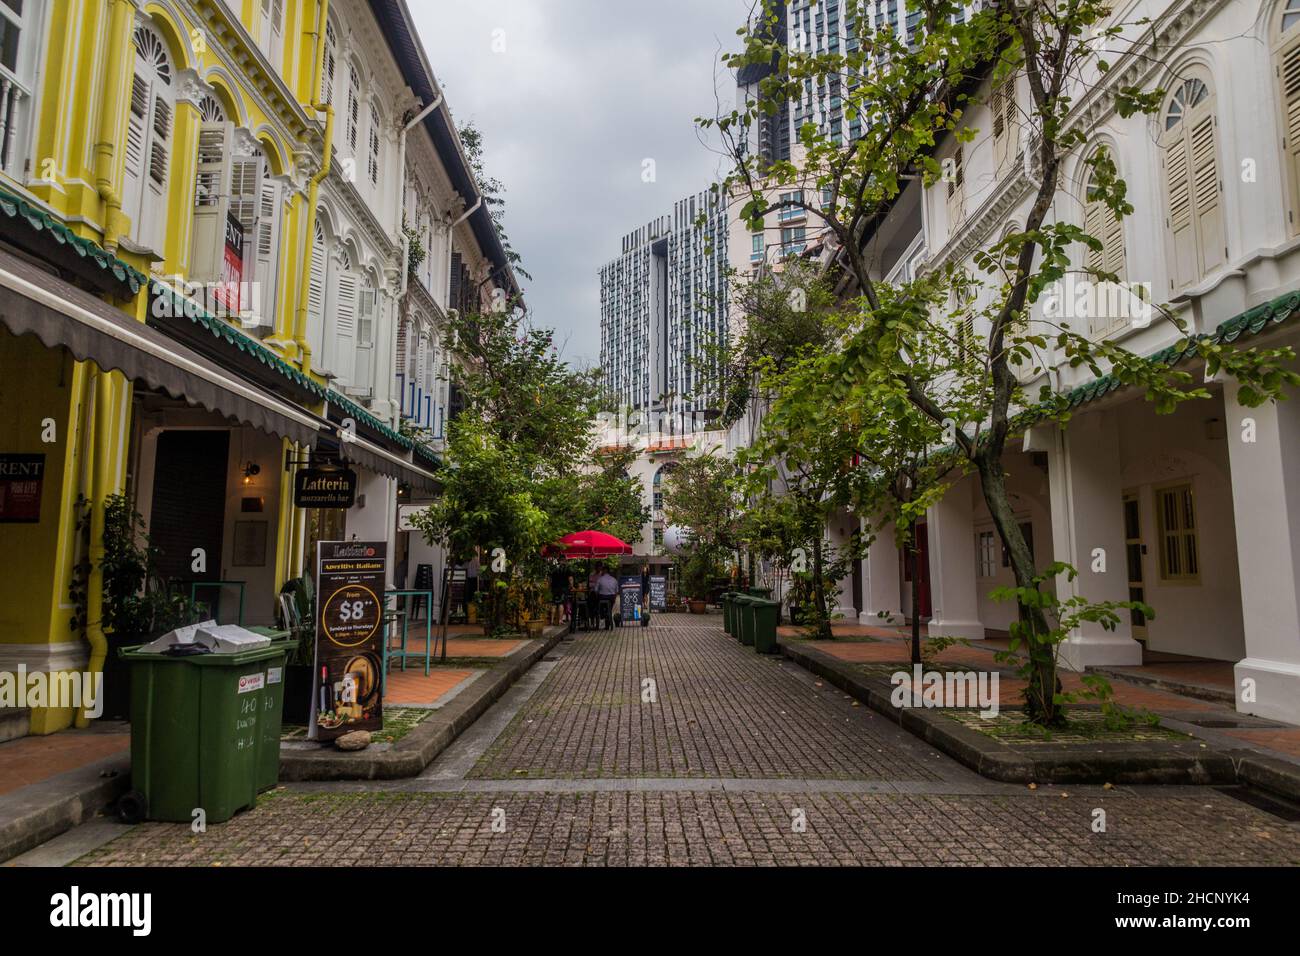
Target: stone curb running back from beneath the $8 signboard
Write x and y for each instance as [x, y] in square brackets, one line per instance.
[419, 749]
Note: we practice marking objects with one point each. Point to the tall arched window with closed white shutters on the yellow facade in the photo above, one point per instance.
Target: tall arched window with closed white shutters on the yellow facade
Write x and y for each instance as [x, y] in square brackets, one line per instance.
[149, 139]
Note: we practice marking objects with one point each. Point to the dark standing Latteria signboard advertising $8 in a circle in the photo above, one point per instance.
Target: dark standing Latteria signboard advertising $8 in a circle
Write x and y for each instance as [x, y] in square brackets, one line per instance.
[349, 638]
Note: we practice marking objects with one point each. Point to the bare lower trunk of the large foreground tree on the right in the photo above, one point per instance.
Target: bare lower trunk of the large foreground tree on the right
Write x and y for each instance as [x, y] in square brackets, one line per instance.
[1043, 687]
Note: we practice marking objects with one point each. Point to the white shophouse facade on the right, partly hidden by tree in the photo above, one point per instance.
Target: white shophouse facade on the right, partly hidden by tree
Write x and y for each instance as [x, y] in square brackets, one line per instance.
[1193, 513]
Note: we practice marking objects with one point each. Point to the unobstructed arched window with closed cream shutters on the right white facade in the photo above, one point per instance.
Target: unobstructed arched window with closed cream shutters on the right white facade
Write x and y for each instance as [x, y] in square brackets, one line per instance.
[1190, 146]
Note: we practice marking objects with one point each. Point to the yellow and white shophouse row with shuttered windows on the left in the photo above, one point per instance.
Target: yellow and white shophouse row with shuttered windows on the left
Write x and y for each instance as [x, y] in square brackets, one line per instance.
[206, 287]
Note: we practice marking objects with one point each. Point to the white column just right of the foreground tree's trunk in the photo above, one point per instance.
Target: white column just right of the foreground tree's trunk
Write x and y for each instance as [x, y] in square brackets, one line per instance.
[1089, 531]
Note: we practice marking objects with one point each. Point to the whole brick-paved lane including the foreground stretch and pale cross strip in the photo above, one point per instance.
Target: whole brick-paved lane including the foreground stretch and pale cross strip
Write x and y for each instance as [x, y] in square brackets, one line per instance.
[673, 745]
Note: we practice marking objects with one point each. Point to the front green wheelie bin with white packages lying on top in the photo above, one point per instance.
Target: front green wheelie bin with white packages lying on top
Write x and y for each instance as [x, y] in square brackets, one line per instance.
[205, 733]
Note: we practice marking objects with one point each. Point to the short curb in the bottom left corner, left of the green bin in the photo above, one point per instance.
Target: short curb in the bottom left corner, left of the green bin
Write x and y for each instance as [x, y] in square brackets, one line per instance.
[53, 807]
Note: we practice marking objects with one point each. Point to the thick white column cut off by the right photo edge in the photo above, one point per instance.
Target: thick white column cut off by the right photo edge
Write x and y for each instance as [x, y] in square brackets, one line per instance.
[1264, 453]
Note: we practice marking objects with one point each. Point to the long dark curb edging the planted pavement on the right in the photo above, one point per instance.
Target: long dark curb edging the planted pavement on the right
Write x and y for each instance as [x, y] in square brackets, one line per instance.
[1120, 764]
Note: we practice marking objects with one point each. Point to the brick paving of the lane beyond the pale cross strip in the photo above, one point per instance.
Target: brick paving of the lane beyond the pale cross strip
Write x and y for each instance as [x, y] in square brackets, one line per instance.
[722, 711]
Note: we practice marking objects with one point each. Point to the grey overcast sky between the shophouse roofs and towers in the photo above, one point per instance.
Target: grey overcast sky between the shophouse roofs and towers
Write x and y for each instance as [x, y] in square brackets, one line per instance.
[583, 93]
